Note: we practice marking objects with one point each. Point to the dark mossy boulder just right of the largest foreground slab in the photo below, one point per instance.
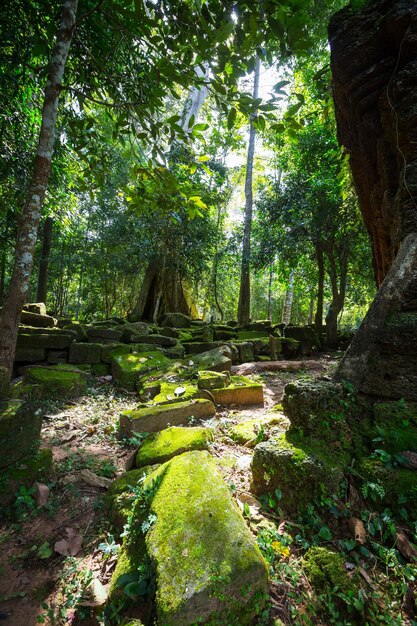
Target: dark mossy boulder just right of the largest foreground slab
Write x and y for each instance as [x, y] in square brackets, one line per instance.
[302, 474]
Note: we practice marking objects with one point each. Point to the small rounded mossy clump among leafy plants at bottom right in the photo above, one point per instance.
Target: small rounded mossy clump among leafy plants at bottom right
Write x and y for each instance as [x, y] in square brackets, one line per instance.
[326, 571]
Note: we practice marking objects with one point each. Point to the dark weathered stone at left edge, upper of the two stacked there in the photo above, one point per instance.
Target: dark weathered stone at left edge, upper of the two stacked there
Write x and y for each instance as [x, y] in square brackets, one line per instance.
[20, 427]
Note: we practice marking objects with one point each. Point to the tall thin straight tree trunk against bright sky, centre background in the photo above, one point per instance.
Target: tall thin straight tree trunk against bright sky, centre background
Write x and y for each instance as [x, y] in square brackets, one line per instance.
[244, 293]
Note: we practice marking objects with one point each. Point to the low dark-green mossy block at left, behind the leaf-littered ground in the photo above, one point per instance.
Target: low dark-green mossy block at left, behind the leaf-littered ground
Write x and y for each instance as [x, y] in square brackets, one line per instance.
[55, 382]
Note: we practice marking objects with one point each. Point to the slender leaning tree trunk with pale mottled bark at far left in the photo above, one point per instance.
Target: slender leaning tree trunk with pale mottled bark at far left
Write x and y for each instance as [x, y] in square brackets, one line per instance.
[31, 211]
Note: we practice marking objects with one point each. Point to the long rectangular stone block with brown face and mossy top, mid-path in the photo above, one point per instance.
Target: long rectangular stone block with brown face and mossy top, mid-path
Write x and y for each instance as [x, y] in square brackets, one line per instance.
[153, 419]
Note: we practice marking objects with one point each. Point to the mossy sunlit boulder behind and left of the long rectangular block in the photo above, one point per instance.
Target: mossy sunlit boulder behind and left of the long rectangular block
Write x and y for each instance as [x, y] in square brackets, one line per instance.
[128, 368]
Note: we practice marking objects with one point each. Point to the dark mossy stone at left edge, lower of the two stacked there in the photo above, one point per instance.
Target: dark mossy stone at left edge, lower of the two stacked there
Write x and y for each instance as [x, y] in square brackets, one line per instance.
[35, 467]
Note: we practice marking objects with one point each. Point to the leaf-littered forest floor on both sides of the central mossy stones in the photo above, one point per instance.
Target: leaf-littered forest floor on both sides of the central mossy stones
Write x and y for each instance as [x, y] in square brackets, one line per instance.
[40, 585]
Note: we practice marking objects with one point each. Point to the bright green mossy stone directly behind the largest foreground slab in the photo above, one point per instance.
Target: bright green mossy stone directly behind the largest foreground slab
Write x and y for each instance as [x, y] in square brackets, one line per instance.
[164, 445]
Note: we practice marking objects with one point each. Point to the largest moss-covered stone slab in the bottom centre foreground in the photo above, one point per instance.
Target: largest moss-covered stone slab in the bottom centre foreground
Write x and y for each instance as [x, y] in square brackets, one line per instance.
[206, 562]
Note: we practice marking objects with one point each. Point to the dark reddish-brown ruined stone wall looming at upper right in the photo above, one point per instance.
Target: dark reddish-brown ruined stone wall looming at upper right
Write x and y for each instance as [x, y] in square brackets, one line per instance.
[374, 65]
